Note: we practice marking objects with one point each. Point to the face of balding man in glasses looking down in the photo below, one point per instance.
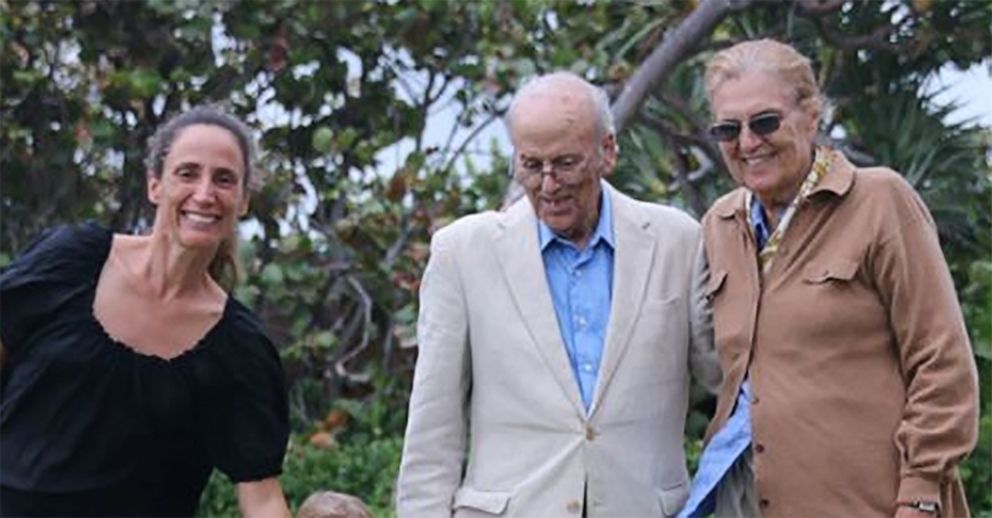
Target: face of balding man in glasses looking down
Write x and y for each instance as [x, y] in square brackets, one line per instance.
[559, 158]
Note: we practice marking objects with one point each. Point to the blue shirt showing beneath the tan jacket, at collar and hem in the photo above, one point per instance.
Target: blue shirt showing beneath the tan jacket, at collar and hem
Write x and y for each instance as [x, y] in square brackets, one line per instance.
[733, 439]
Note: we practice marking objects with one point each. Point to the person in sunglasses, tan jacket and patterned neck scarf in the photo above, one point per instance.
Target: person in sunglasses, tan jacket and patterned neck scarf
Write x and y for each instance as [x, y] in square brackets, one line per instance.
[850, 387]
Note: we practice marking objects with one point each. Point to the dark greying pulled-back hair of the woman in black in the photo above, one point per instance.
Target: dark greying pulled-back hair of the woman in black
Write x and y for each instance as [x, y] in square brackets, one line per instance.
[224, 266]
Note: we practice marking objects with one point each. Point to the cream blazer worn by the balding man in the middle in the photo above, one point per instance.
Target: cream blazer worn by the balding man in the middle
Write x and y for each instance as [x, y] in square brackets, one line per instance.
[493, 385]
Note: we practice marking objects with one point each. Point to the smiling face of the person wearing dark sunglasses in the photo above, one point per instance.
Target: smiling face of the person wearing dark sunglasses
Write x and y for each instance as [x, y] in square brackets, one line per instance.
[771, 165]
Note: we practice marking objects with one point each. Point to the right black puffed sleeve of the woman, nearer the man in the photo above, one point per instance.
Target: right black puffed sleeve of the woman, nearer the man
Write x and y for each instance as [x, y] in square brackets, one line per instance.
[247, 417]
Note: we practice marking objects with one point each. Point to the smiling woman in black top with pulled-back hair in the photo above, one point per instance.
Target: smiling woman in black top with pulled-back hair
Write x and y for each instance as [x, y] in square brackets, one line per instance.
[129, 373]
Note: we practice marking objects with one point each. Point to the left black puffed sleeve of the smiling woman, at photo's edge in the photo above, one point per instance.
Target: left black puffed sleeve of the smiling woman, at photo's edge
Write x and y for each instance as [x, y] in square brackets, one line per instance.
[46, 275]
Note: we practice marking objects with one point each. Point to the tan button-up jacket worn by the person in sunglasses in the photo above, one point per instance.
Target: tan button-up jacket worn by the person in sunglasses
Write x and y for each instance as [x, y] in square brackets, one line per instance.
[865, 387]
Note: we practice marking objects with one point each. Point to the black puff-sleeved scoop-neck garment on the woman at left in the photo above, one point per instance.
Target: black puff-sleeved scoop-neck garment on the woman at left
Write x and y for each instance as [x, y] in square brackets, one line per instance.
[90, 427]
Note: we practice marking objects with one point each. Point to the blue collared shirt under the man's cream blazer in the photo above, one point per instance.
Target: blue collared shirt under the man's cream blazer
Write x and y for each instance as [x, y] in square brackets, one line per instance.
[581, 284]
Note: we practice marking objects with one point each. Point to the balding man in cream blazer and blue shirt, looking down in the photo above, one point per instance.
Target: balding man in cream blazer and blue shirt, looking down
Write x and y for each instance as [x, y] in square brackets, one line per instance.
[556, 337]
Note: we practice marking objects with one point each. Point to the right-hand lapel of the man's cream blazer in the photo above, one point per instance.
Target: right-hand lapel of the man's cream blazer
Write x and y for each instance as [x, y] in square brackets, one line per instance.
[632, 260]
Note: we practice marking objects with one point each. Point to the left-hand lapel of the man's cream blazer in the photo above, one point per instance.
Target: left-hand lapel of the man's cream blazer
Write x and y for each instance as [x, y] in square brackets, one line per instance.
[523, 271]
